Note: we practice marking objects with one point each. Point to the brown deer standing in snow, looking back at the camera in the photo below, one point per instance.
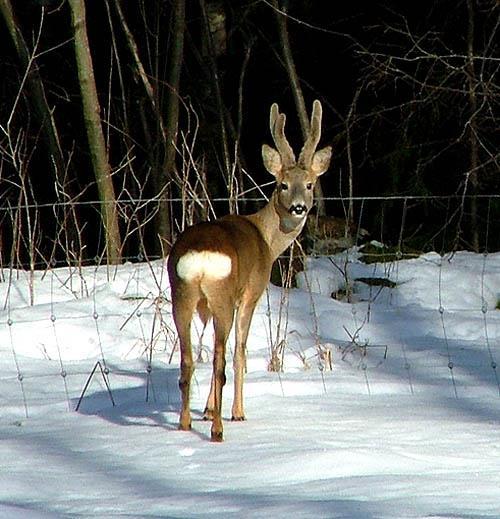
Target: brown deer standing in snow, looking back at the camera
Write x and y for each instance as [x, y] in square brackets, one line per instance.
[220, 268]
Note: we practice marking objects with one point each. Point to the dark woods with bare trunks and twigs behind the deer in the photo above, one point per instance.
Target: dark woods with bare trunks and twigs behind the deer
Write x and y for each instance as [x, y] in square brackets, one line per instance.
[121, 122]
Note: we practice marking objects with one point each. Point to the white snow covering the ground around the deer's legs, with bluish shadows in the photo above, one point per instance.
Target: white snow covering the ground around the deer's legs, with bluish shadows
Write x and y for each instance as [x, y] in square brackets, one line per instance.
[406, 424]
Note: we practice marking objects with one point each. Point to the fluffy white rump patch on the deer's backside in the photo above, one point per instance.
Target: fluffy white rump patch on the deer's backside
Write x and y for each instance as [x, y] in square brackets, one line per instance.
[213, 265]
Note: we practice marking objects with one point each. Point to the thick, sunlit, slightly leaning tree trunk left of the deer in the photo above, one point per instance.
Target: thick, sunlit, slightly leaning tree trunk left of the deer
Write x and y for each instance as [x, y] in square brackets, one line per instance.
[95, 136]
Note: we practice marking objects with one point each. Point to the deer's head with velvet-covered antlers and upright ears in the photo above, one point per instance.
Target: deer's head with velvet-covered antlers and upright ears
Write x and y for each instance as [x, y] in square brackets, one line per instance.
[295, 179]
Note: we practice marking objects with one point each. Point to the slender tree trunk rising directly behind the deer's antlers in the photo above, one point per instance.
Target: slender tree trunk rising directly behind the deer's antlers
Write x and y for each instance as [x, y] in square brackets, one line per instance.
[281, 18]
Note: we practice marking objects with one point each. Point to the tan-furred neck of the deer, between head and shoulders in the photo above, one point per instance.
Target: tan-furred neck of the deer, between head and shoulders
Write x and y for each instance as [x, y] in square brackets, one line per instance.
[278, 228]
